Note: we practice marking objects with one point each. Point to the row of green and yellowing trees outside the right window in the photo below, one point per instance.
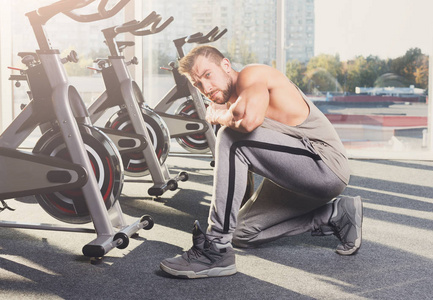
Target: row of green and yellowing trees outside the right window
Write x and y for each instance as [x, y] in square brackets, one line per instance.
[327, 73]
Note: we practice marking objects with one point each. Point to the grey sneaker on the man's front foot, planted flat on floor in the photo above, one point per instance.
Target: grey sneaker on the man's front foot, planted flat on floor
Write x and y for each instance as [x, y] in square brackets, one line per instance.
[206, 258]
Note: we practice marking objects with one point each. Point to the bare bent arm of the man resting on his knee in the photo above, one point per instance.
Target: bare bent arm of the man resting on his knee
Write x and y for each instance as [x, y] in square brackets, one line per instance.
[248, 111]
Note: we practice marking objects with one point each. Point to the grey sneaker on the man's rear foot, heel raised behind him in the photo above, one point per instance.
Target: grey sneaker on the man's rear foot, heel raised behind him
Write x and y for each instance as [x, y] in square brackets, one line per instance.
[346, 222]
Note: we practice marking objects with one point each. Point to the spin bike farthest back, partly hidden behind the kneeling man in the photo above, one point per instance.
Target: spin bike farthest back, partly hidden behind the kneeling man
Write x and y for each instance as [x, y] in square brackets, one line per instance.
[187, 125]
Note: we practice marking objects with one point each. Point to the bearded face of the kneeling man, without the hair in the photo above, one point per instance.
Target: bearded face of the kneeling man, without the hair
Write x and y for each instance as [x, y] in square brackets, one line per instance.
[212, 79]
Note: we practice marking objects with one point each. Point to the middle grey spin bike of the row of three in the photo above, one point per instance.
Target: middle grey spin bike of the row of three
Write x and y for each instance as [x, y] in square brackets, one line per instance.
[132, 120]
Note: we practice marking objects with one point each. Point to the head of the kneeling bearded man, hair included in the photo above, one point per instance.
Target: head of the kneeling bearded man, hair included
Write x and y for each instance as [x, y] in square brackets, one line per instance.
[208, 70]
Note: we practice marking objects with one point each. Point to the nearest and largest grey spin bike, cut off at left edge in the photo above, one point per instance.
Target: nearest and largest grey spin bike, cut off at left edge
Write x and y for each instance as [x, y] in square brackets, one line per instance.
[74, 171]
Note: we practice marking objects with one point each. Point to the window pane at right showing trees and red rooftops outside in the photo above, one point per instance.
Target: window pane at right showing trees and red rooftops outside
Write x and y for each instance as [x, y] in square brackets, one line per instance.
[370, 74]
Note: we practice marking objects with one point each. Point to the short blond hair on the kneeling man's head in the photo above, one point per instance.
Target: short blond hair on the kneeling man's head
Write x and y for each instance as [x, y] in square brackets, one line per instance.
[187, 62]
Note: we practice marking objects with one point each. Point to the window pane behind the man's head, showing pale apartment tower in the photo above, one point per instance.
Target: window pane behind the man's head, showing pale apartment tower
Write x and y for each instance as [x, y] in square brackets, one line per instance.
[250, 36]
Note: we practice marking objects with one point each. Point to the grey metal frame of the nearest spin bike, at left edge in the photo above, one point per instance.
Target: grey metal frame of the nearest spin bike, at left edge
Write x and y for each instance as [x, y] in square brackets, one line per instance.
[60, 107]
